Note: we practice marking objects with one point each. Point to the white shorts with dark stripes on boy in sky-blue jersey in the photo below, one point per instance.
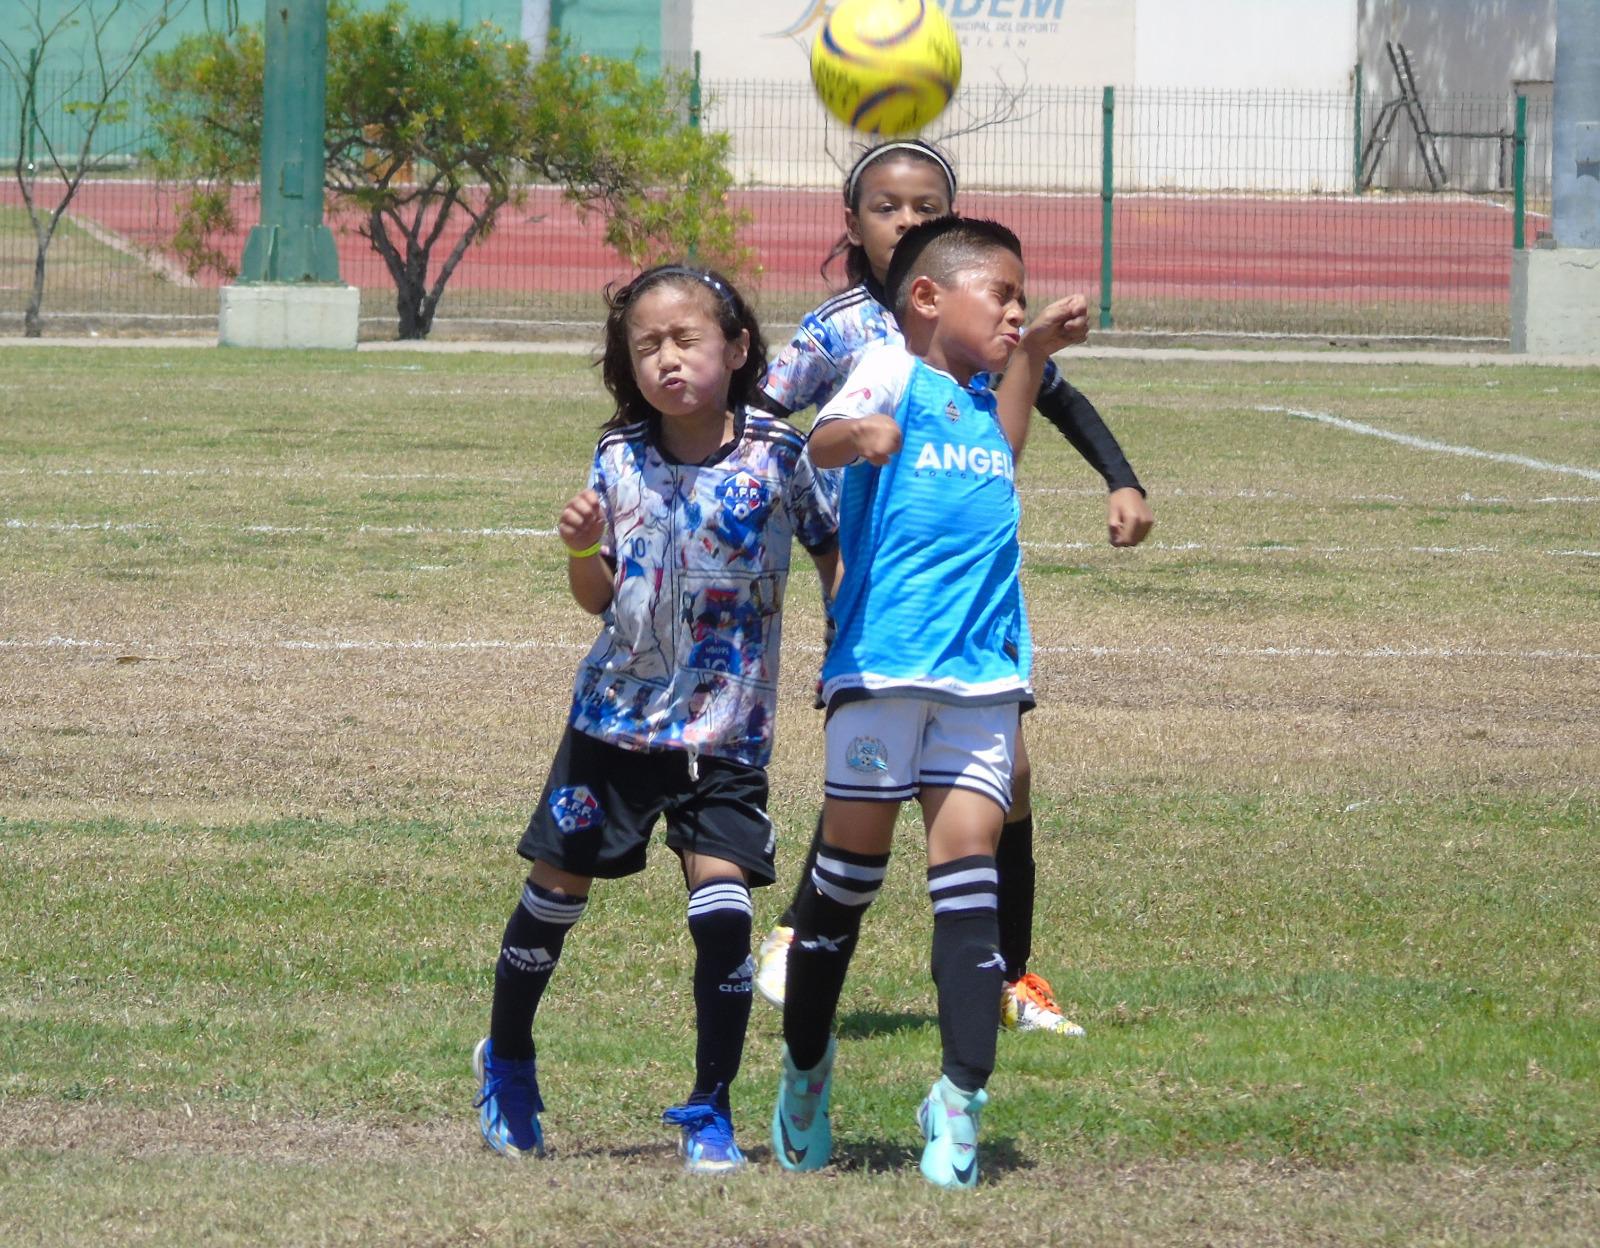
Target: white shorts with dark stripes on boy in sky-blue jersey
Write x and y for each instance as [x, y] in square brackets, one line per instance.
[890, 750]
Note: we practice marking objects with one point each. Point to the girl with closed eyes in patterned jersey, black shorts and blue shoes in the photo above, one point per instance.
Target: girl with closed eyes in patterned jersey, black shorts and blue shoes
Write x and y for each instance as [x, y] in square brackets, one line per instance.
[681, 543]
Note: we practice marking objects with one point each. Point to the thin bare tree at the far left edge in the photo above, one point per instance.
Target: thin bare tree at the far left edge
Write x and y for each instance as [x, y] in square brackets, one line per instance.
[92, 95]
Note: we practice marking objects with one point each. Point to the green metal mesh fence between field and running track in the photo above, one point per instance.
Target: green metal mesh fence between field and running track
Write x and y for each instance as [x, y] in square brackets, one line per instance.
[1186, 212]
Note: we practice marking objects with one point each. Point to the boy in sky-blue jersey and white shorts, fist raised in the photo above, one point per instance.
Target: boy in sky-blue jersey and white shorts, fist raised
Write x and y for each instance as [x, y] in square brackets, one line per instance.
[930, 670]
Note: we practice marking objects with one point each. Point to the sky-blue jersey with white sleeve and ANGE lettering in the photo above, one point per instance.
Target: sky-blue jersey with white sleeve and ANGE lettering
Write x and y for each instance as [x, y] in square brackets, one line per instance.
[932, 601]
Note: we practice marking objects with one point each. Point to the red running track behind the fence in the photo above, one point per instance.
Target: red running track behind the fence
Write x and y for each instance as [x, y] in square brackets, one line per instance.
[1438, 250]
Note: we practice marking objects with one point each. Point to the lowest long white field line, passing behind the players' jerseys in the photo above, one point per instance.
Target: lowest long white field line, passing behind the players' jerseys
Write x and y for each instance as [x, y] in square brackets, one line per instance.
[1386, 654]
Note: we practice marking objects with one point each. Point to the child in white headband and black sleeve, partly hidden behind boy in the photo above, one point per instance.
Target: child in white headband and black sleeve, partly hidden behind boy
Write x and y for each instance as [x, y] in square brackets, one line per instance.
[892, 188]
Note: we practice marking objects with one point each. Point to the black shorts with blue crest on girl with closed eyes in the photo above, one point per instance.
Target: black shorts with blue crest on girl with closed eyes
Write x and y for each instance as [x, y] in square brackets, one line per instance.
[601, 806]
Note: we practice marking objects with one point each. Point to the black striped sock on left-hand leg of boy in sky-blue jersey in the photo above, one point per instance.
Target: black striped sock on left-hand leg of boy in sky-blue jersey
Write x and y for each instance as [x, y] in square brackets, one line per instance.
[828, 924]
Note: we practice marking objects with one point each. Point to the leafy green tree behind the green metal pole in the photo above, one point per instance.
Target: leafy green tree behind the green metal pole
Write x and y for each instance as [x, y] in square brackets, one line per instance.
[431, 122]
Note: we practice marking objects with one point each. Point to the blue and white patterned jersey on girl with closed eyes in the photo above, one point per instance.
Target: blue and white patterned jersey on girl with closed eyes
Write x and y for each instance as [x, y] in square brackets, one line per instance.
[687, 657]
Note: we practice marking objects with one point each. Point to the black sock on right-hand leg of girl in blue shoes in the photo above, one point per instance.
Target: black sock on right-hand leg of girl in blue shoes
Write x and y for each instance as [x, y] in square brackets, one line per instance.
[721, 926]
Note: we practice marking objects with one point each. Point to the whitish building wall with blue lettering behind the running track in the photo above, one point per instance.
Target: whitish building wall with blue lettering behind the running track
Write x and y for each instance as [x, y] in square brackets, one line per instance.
[1218, 95]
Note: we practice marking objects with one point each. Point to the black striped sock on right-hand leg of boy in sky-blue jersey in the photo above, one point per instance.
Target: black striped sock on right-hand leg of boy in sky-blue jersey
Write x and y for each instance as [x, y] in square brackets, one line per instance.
[967, 967]
